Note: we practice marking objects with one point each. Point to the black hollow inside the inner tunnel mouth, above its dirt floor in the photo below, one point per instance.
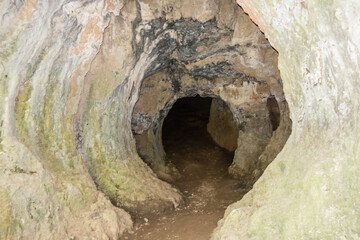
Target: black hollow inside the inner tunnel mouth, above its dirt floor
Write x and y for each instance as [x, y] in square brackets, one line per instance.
[200, 116]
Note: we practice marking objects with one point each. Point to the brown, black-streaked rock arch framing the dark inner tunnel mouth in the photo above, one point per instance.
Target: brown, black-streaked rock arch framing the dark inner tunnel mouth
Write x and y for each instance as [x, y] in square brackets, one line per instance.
[213, 59]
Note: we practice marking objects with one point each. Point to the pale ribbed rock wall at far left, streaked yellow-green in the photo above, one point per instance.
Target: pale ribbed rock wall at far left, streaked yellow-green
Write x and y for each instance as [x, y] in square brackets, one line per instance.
[45, 189]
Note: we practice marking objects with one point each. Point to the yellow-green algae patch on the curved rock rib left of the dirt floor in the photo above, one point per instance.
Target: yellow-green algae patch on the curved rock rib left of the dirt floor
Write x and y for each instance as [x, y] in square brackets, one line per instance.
[109, 172]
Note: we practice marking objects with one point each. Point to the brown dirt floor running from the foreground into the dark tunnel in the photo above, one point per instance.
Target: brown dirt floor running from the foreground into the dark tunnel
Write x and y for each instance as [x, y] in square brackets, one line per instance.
[207, 188]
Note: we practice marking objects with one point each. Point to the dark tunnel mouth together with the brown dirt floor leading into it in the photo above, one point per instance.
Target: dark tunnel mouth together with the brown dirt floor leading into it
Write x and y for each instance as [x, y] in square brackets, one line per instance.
[207, 187]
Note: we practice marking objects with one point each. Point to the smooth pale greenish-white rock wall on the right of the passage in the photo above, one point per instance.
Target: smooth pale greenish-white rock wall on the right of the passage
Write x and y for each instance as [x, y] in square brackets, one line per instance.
[311, 190]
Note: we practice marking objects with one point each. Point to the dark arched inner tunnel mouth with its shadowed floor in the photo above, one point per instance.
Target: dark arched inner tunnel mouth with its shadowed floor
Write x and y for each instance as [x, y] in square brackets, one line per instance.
[187, 136]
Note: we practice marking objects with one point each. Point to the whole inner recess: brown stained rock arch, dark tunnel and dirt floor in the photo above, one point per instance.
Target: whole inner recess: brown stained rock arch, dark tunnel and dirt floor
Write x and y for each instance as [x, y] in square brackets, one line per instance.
[208, 116]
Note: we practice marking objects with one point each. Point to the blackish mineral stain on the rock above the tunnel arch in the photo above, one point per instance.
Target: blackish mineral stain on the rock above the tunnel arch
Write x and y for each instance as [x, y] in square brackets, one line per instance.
[190, 36]
